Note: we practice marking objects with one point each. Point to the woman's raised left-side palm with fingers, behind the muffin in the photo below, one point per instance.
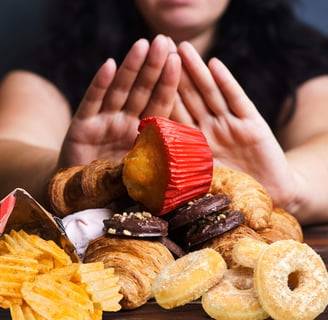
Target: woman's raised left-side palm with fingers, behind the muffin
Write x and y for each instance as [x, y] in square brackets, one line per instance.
[105, 125]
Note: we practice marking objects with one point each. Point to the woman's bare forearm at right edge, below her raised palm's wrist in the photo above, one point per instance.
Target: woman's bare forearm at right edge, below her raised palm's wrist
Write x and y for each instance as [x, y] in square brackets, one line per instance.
[310, 164]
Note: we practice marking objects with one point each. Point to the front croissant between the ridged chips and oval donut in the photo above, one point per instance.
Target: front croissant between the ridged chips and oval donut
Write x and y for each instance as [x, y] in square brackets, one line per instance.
[135, 261]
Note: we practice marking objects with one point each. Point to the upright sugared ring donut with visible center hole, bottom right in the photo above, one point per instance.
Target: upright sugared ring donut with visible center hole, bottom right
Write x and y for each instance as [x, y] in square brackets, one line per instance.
[275, 265]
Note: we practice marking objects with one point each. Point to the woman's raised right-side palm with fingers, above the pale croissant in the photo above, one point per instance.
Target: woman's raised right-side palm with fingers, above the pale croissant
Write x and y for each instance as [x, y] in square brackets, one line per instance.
[212, 100]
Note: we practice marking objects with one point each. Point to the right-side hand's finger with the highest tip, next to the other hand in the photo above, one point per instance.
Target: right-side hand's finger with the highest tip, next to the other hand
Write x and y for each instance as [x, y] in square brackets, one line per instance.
[202, 77]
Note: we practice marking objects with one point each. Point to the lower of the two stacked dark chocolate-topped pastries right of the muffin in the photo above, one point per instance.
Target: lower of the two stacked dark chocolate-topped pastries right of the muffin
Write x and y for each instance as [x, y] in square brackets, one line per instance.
[211, 226]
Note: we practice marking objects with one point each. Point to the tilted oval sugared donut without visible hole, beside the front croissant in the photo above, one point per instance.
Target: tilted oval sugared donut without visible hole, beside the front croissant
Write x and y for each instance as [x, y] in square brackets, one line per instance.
[188, 277]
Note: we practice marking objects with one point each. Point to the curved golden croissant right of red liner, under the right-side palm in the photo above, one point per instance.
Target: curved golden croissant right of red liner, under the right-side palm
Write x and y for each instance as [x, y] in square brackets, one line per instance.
[247, 195]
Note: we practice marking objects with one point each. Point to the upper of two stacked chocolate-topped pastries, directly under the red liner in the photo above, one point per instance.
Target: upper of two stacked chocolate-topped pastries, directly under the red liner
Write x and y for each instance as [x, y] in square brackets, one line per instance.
[198, 208]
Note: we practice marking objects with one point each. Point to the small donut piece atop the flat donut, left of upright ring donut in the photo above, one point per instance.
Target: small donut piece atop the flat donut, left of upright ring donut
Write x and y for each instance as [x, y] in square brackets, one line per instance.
[247, 250]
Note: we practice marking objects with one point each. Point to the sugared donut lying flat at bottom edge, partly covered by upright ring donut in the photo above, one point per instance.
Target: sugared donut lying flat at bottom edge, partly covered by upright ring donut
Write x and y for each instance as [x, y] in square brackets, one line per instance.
[234, 297]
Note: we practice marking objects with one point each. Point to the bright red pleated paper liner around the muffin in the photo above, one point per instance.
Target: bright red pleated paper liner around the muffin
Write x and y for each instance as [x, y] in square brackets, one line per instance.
[190, 162]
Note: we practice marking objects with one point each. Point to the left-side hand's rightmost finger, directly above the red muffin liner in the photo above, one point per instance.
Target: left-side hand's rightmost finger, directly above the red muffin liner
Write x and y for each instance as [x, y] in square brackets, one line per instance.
[161, 102]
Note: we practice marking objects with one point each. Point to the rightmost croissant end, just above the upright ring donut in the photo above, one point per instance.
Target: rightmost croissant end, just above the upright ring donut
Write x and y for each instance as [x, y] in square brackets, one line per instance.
[282, 225]
